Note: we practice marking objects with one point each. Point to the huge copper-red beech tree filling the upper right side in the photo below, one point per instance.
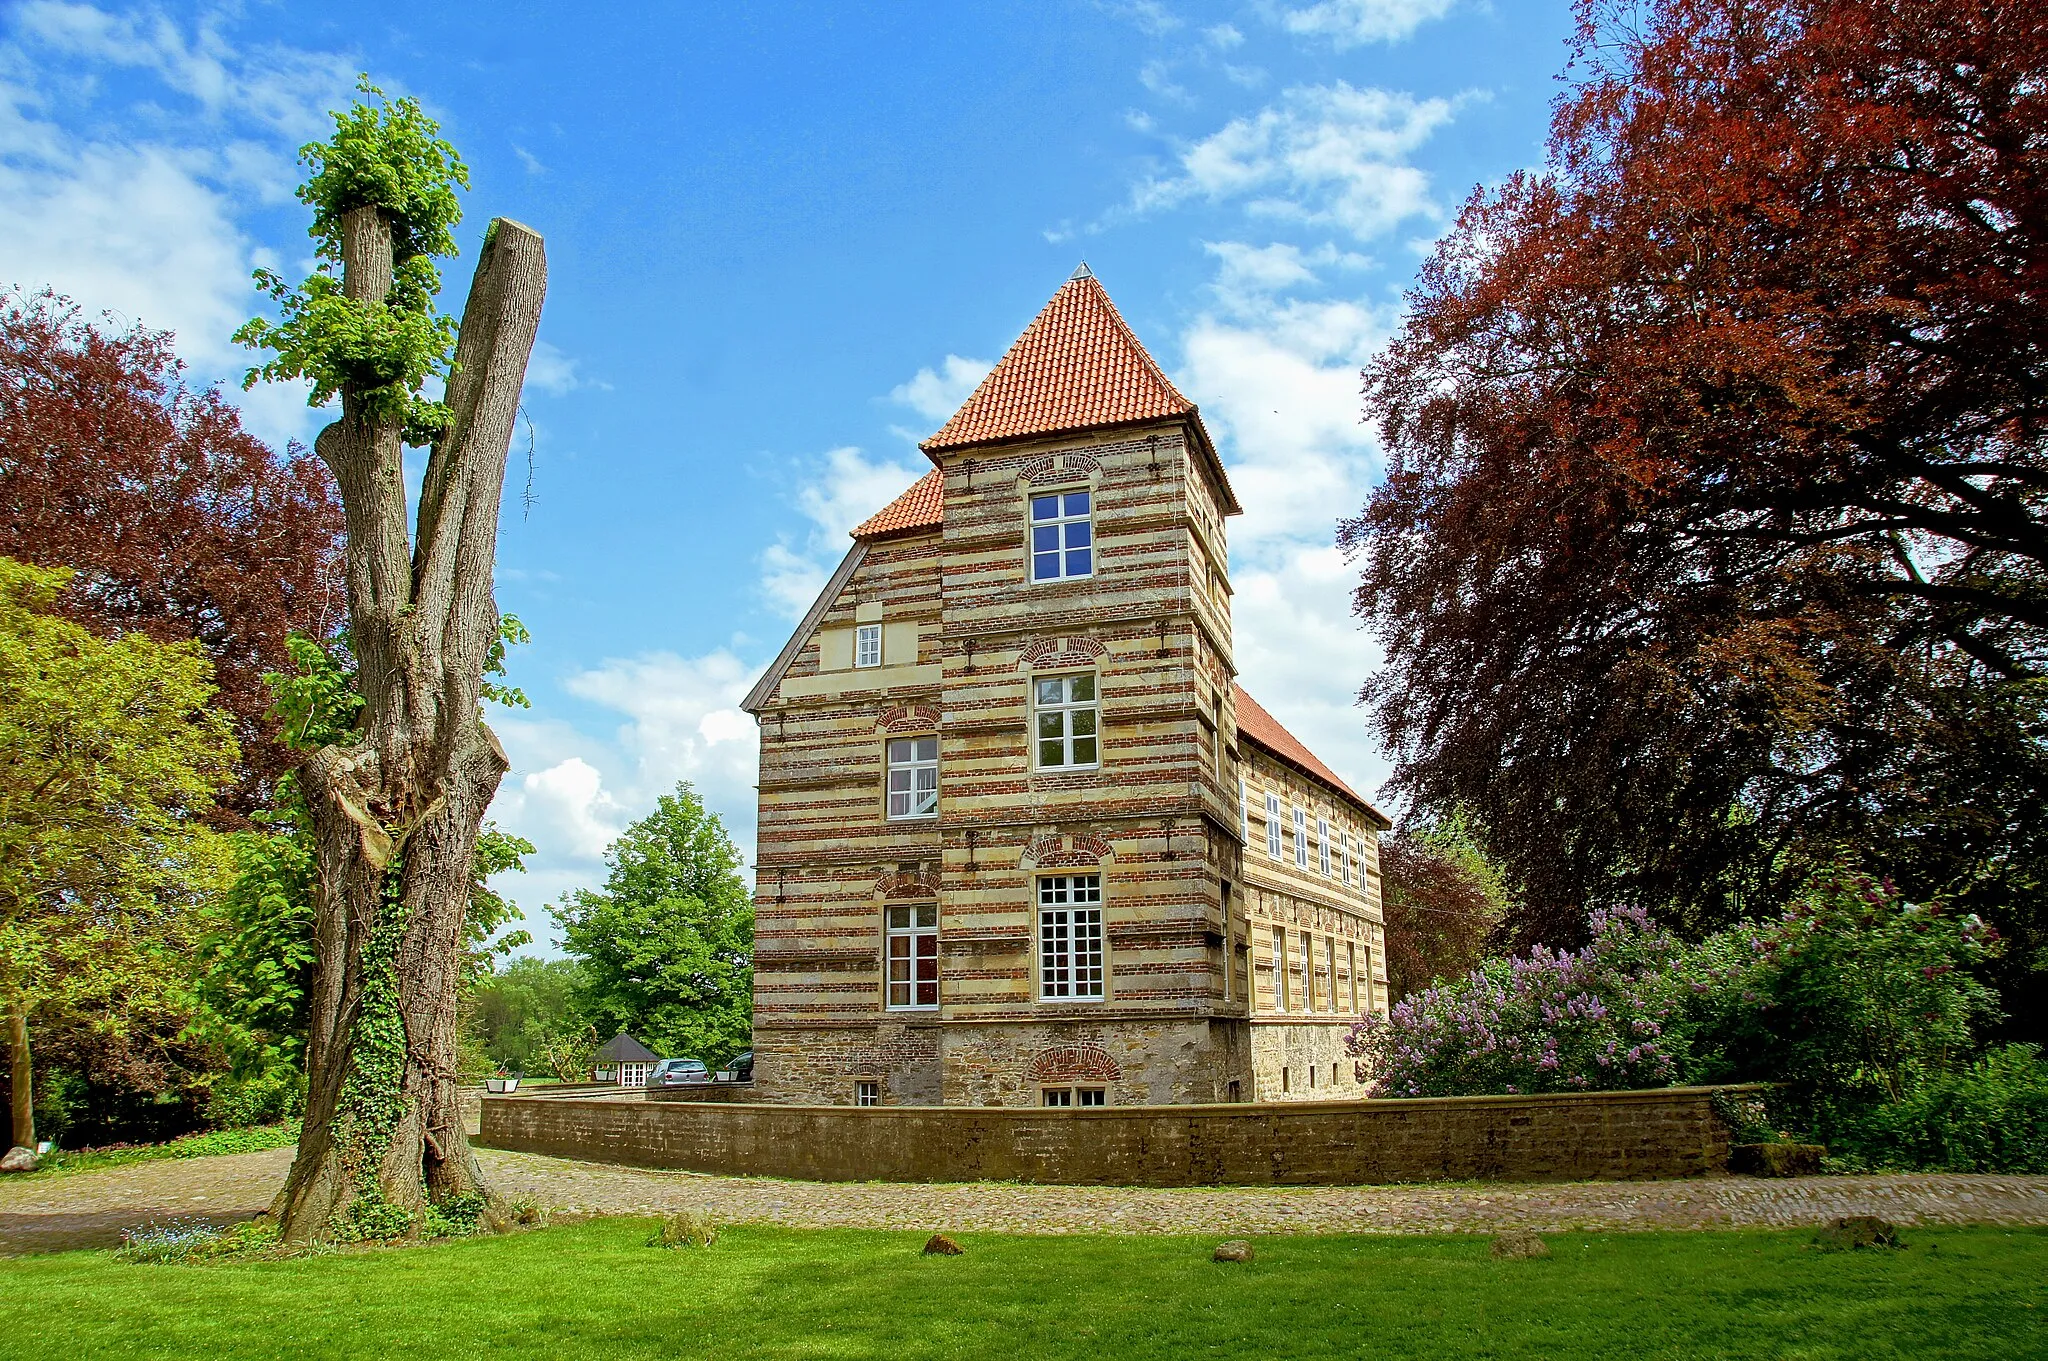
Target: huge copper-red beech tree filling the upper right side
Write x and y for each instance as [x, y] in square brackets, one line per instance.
[1715, 533]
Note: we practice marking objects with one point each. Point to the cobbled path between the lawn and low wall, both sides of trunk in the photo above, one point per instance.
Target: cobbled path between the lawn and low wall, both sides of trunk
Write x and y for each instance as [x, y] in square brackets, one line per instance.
[93, 1209]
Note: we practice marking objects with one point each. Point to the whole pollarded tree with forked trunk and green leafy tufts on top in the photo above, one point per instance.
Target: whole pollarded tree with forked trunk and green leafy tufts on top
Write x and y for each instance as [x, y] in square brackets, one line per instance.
[398, 803]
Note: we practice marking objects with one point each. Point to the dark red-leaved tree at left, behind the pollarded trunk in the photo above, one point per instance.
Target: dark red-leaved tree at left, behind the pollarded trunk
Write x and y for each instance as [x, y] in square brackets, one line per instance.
[177, 521]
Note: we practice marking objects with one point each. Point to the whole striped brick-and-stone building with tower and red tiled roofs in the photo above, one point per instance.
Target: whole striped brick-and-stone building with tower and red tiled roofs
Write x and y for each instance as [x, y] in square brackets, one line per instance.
[1013, 805]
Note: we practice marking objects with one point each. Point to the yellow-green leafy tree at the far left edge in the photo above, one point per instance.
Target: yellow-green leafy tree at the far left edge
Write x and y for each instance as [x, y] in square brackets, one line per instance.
[110, 762]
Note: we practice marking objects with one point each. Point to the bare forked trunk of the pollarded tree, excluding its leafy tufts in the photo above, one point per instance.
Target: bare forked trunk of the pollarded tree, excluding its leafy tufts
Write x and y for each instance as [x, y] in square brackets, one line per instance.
[396, 814]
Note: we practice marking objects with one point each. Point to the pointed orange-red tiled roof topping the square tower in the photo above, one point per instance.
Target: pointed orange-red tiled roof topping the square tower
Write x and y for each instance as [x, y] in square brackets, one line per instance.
[1076, 367]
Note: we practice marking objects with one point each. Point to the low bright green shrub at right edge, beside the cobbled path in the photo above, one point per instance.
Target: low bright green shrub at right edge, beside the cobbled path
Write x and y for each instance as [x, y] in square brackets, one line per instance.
[1988, 1118]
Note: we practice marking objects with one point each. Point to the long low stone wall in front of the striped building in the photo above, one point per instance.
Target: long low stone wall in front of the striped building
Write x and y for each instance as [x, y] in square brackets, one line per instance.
[1578, 1137]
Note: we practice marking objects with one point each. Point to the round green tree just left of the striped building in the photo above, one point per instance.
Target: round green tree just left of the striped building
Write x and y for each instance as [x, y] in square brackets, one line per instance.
[667, 947]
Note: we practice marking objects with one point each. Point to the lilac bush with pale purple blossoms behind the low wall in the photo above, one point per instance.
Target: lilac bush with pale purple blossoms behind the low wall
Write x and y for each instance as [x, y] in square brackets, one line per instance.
[1588, 1020]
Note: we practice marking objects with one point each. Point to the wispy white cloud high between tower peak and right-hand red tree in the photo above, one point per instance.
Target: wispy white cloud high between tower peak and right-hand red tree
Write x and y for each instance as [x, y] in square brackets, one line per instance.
[1320, 157]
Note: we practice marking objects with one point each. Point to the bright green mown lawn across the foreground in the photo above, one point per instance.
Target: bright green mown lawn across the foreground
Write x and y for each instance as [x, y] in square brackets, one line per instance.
[595, 1290]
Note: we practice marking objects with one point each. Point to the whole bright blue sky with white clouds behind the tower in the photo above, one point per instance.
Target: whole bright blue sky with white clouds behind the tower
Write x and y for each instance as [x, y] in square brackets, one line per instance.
[785, 240]
